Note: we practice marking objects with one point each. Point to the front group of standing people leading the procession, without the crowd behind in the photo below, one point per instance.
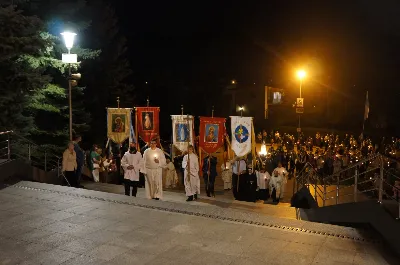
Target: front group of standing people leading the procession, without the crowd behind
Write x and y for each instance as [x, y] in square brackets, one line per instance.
[236, 173]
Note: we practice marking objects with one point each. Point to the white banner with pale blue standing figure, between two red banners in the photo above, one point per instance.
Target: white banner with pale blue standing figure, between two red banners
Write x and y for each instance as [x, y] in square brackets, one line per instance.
[182, 131]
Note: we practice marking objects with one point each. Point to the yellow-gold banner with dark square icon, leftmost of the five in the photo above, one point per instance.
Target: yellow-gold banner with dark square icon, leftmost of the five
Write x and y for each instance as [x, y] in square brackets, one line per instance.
[118, 124]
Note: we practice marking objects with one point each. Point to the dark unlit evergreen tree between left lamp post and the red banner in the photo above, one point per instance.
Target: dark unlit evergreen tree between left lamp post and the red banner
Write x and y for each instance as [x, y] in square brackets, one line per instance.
[107, 77]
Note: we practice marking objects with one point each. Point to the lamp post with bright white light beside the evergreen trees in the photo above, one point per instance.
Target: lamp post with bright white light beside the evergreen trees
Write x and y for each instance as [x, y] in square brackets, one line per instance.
[69, 58]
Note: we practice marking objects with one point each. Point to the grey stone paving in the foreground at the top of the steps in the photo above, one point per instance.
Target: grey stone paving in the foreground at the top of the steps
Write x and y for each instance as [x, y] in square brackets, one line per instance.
[47, 224]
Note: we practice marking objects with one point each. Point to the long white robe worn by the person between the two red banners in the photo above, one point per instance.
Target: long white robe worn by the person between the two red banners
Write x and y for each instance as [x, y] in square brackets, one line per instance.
[192, 180]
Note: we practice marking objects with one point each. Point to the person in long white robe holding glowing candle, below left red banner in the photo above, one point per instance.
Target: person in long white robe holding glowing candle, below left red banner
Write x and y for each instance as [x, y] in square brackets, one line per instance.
[154, 161]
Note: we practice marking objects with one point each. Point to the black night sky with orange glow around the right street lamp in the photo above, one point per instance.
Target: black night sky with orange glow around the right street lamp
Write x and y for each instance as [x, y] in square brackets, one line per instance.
[188, 51]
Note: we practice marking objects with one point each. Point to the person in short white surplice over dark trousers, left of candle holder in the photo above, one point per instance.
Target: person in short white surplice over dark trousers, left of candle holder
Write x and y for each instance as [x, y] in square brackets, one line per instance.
[131, 162]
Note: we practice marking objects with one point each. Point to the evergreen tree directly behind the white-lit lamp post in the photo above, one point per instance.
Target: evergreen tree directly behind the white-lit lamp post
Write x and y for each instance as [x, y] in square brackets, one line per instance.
[49, 105]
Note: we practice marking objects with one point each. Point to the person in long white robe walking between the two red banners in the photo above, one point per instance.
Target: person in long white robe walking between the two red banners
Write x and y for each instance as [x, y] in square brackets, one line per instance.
[190, 164]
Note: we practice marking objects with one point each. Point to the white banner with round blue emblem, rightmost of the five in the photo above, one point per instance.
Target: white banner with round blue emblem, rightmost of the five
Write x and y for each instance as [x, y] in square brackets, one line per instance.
[242, 130]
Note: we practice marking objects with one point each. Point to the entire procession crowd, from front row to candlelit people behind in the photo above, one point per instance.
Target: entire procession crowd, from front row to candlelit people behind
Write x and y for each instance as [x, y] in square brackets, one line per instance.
[249, 179]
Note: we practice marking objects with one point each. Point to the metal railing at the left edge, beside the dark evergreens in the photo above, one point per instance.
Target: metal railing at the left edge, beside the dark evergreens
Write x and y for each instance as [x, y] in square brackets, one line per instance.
[14, 146]
